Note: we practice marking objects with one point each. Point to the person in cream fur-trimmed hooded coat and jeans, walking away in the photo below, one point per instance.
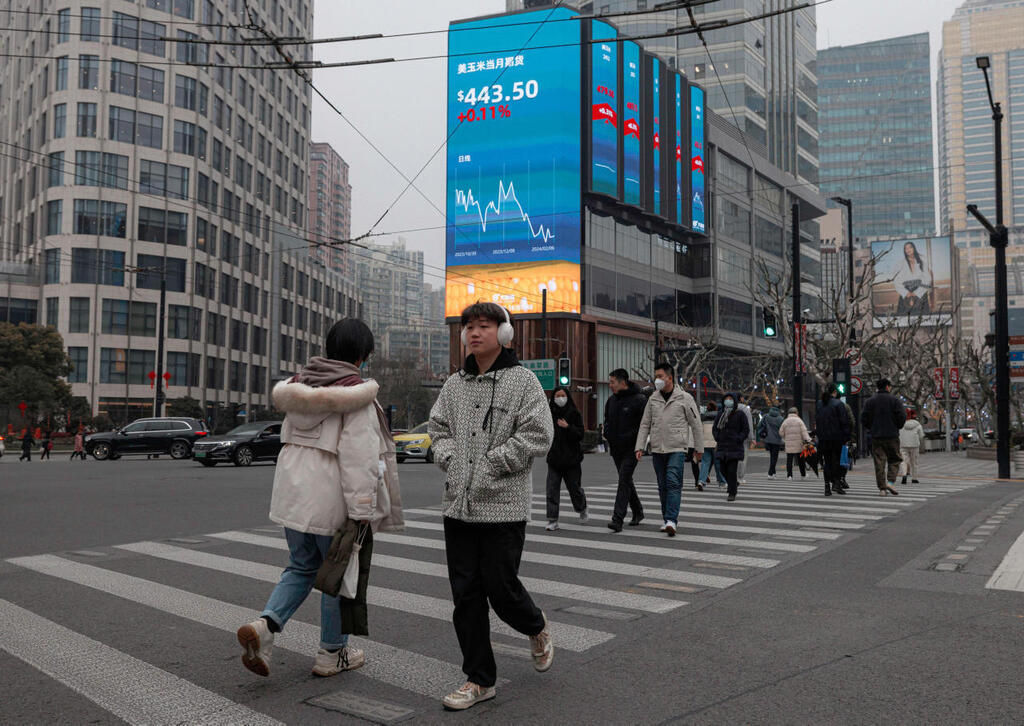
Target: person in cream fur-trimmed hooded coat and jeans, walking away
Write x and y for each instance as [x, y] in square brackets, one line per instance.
[336, 472]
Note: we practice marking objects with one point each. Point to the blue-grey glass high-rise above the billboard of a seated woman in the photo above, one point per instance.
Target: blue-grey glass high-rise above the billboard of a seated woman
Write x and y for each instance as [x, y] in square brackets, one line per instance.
[875, 105]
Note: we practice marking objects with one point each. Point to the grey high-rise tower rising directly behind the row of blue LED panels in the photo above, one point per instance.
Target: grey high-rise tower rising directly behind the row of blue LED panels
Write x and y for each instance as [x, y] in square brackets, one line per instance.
[761, 76]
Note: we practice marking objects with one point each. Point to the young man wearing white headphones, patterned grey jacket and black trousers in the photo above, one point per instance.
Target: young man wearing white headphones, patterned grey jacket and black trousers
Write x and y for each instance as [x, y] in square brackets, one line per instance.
[491, 421]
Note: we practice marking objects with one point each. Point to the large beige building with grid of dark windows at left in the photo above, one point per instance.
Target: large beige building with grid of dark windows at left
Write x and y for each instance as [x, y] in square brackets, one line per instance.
[127, 160]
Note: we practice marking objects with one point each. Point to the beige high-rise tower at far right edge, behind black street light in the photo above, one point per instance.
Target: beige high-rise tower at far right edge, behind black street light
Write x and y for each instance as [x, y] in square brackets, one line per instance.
[996, 29]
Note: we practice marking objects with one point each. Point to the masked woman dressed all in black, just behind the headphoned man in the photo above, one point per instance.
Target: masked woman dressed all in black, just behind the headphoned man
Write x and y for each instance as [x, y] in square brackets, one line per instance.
[566, 457]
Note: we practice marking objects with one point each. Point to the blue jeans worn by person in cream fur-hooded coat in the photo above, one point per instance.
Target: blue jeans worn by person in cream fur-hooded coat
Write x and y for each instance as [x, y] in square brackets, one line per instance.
[306, 554]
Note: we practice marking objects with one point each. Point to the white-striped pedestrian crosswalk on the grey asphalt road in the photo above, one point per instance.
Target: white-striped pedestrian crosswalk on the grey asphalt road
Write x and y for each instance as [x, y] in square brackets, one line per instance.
[592, 584]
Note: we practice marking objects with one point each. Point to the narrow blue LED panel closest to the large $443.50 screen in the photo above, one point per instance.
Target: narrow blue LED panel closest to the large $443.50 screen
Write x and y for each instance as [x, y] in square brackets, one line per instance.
[605, 117]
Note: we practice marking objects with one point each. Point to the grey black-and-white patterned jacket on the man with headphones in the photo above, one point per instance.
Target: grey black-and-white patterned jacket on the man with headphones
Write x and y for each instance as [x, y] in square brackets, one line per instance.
[486, 433]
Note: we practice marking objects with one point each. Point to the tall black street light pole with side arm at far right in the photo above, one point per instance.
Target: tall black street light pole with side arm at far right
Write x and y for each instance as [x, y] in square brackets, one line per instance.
[998, 238]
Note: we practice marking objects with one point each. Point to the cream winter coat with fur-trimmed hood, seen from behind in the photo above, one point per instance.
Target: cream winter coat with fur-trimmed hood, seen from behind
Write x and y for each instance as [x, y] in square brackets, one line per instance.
[338, 461]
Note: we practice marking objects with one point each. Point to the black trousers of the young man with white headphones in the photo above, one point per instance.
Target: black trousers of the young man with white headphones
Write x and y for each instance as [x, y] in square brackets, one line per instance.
[484, 567]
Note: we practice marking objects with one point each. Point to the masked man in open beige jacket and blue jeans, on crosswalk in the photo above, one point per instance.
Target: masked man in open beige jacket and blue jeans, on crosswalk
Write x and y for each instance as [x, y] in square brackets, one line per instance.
[672, 422]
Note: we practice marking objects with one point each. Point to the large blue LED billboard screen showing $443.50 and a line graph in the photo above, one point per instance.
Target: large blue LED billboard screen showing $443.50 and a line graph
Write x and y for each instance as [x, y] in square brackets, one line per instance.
[515, 162]
